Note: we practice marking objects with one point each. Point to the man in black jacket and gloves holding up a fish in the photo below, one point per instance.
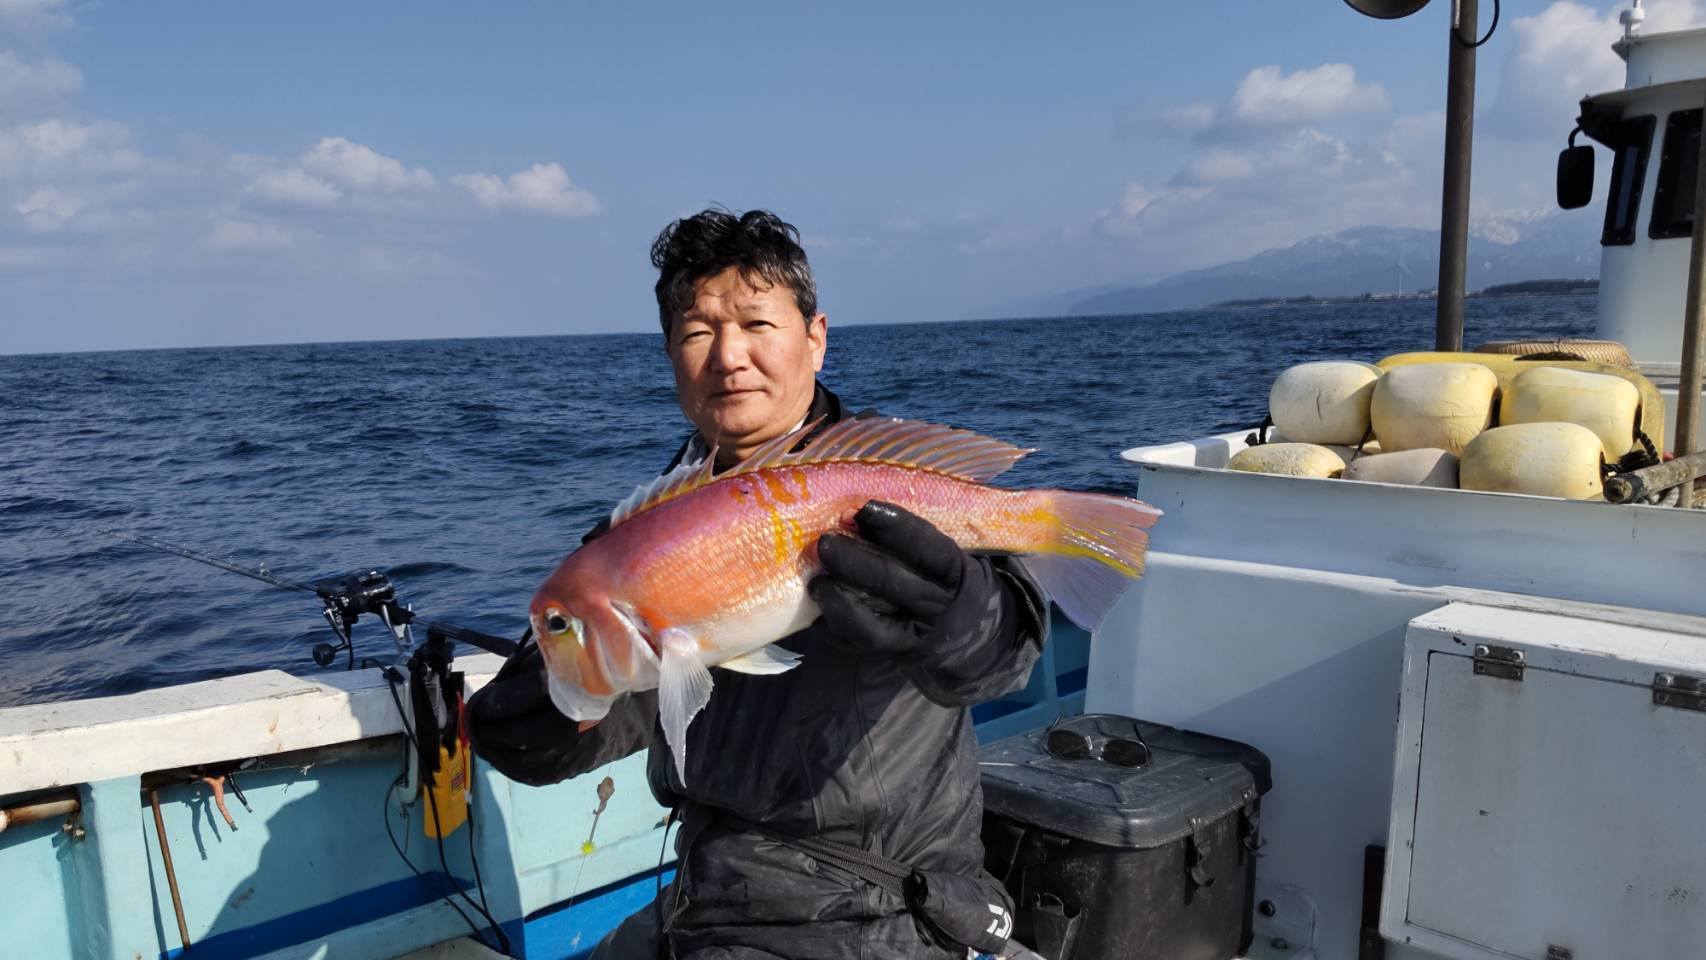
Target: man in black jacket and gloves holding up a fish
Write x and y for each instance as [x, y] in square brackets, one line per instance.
[868, 746]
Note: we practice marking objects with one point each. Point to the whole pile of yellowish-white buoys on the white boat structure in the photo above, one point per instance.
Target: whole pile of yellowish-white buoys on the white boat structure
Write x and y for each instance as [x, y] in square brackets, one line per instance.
[1451, 422]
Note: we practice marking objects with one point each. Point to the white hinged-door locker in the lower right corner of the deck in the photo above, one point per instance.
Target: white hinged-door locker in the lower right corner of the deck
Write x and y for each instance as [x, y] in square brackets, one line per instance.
[1558, 811]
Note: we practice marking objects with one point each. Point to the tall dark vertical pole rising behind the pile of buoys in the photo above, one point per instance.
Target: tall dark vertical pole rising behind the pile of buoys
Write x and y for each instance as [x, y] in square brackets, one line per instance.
[1454, 209]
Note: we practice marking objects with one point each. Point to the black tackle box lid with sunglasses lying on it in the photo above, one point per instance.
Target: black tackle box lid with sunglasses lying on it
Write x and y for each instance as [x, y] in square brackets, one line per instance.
[1188, 777]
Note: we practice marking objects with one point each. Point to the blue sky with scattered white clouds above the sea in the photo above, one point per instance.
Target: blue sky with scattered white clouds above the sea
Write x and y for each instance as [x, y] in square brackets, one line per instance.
[202, 175]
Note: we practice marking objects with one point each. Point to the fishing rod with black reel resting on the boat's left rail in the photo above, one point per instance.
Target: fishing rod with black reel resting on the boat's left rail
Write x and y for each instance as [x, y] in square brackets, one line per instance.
[344, 601]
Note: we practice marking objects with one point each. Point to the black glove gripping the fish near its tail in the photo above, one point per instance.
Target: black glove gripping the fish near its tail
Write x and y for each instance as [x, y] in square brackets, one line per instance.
[910, 593]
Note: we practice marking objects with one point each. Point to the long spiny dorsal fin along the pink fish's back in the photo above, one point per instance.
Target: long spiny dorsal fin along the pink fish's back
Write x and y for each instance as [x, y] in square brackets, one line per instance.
[910, 444]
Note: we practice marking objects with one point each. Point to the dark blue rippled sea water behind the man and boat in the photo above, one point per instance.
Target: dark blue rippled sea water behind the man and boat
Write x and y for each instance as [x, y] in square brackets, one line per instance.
[468, 468]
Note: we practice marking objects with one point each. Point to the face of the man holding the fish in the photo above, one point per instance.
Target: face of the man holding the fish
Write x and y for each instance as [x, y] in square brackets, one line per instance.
[745, 361]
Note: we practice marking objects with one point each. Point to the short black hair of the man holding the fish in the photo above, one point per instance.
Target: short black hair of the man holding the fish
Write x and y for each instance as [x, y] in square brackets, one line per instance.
[709, 243]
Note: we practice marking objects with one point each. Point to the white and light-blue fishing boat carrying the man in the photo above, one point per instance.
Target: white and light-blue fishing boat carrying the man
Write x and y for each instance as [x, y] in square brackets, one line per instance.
[1485, 712]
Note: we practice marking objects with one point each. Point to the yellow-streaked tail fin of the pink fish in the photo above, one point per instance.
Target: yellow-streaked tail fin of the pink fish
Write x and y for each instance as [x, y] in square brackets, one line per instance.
[1094, 548]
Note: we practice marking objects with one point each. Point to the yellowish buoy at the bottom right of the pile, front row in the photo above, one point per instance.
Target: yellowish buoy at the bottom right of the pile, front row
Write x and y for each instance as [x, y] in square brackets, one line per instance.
[1541, 460]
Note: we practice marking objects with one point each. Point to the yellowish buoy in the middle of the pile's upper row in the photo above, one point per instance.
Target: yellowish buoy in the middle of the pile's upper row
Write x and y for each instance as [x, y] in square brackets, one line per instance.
[1432, 405]
